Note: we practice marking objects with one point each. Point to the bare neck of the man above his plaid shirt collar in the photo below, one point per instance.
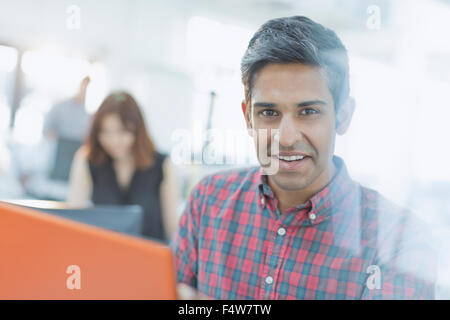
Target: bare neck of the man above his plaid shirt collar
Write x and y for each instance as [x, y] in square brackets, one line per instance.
[290, 198]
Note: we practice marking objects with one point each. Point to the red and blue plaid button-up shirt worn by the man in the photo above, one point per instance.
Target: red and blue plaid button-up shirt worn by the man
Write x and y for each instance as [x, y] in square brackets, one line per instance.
[346, 242]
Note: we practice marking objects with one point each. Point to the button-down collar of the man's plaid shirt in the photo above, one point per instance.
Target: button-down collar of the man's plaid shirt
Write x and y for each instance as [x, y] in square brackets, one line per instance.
[324, 202]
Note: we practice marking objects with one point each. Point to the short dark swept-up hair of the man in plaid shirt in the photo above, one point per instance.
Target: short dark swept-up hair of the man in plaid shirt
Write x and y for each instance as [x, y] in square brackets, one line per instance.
[298, 39]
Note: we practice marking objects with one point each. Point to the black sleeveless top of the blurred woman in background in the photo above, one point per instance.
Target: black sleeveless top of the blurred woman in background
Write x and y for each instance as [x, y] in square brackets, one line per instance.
[144, 190]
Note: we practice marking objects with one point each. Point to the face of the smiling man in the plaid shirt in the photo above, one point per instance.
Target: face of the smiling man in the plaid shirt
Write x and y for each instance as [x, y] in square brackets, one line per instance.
[295, 99]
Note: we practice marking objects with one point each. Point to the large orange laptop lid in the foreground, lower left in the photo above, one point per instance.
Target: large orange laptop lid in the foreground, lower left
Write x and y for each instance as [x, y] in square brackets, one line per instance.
[48, 257]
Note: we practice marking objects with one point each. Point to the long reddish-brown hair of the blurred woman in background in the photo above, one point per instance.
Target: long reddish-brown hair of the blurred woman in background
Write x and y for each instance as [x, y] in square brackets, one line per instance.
[124, 105]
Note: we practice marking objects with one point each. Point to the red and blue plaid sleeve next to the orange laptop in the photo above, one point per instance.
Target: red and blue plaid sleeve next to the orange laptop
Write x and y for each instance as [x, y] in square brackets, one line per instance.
[185, 241]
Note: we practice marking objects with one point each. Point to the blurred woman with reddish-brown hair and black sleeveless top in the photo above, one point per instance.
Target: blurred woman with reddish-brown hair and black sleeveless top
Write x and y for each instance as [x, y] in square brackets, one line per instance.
[119, 165]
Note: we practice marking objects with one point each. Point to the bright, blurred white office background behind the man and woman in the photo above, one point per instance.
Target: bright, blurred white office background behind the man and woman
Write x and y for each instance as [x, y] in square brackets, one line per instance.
[180, 60]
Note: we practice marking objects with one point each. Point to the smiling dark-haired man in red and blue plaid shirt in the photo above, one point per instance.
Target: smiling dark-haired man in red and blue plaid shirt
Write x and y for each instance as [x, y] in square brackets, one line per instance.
[298, 227]
